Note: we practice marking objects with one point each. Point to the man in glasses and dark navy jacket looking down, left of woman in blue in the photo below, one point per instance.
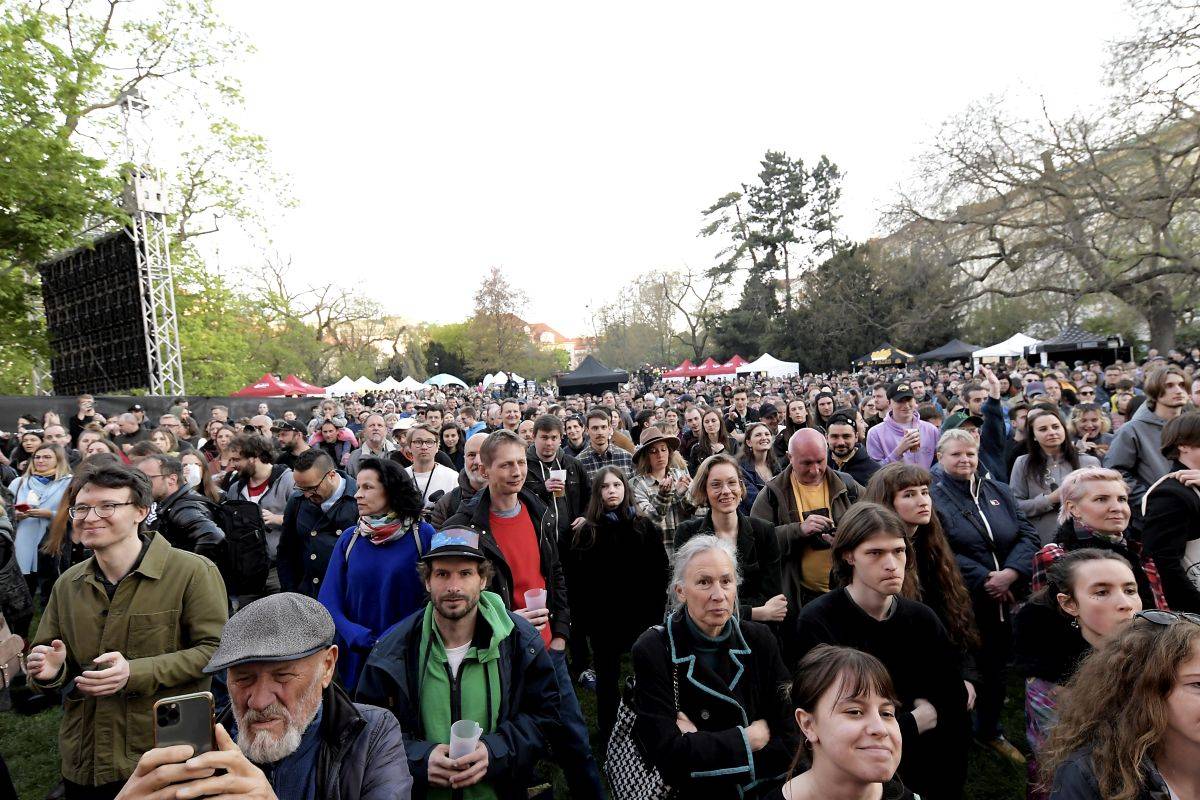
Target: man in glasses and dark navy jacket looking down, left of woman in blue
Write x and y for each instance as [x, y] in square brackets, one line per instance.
[315, 518]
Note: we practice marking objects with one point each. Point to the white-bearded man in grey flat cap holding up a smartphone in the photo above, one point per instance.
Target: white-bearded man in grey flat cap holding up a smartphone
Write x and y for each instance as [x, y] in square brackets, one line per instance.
[291, 732]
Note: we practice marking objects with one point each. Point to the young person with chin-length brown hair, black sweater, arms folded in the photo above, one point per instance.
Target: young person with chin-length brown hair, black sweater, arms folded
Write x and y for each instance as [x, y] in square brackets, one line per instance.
[871, 554]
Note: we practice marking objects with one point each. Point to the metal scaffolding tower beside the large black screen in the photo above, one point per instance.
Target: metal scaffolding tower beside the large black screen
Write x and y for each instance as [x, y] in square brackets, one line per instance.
[146, 201]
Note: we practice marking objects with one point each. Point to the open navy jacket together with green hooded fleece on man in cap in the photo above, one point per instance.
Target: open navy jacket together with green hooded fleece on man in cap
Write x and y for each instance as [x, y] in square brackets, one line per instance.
[508, 665]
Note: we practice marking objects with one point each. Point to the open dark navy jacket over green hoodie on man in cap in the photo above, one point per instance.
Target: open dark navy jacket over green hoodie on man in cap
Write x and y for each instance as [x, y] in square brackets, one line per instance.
[530, 696]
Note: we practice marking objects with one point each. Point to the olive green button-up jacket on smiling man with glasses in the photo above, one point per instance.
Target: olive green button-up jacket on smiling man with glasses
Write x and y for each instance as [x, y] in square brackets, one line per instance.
[166, 619]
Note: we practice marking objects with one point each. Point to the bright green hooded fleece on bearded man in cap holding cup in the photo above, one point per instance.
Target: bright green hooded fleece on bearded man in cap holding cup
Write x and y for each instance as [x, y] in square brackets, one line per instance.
[475, 694]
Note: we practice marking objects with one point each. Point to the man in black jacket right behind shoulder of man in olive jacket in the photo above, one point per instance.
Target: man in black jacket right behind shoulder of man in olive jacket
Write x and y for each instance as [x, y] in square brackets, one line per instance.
[183, 516]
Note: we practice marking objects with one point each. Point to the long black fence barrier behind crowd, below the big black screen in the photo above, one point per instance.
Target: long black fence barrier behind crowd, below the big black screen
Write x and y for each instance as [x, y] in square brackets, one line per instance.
[110, 406]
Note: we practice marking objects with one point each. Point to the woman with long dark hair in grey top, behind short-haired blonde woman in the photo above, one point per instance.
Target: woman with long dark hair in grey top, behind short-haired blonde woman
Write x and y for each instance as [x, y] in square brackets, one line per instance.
[1039, 474]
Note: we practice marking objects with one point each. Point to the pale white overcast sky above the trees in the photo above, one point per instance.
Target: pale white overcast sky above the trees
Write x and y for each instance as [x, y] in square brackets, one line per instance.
[575, 145]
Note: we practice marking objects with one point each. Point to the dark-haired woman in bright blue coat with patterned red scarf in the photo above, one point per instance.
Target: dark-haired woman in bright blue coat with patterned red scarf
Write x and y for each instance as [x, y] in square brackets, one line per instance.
[371, 582]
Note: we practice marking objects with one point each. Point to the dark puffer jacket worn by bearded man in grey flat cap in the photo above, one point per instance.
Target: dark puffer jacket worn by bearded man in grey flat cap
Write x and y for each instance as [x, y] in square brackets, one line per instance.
[362, 750]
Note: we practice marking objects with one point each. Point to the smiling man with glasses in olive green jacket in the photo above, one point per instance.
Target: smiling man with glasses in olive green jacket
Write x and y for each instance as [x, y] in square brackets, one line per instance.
[134, 624]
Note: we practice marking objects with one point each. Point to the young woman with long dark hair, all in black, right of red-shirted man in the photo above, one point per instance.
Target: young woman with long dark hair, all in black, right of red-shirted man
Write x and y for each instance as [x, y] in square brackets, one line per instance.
[614, 542]
